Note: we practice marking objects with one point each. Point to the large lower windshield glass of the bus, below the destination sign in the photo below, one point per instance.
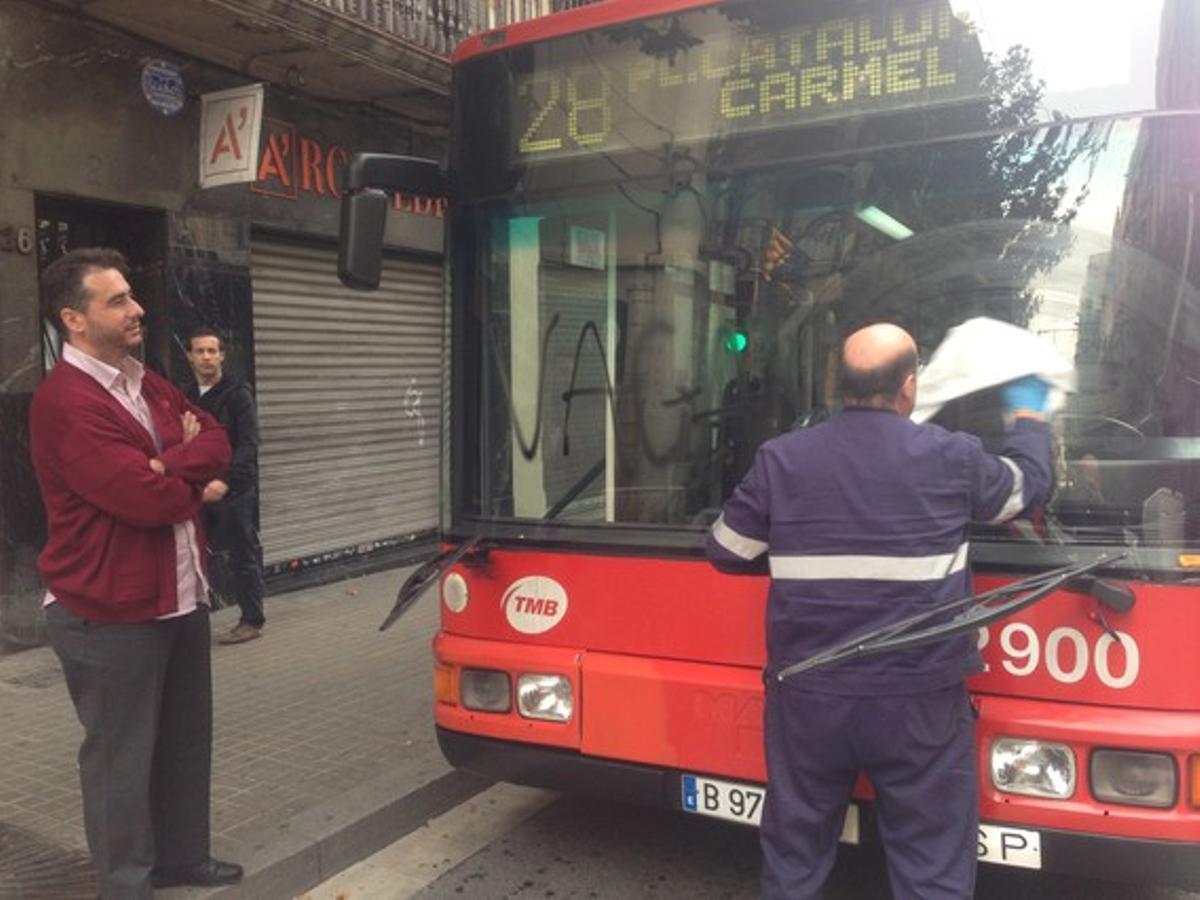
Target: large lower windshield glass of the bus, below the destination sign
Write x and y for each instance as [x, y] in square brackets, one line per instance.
[643, 344]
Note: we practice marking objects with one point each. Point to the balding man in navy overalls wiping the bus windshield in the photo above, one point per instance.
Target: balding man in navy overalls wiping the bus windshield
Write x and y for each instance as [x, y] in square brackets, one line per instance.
[863, 521]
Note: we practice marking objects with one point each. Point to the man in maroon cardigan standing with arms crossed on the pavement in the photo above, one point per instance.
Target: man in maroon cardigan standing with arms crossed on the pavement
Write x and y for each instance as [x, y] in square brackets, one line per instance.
[122, 459]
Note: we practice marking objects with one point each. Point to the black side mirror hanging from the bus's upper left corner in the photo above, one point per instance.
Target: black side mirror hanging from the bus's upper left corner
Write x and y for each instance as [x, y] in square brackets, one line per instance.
[369, 181]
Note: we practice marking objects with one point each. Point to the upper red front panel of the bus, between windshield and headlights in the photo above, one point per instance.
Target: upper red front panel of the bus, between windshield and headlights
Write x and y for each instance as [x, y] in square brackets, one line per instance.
[686, 611]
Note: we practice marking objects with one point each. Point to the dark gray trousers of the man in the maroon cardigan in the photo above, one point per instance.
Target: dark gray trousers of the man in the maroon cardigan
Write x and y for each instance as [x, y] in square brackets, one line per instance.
[143, 693]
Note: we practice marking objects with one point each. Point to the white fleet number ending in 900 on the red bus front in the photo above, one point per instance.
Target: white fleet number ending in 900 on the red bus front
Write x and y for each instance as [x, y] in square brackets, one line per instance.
[1067, 655]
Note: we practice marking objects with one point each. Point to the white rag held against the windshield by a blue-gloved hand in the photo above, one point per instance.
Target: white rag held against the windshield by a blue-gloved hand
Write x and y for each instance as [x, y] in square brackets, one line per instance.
[982, 353]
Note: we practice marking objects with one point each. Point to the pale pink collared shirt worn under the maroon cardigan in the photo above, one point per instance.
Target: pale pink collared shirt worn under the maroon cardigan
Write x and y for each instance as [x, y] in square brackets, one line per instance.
[125, 386]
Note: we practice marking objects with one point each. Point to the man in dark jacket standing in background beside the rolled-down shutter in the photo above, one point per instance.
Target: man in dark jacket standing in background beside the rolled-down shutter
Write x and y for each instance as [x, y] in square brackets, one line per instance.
[232, 501]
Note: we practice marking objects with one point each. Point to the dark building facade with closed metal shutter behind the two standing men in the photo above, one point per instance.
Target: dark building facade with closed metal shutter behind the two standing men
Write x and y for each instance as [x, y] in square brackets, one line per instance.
[100, 145]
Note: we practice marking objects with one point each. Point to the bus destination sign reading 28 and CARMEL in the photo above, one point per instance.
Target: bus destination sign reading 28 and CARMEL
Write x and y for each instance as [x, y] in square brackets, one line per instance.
[723, 73]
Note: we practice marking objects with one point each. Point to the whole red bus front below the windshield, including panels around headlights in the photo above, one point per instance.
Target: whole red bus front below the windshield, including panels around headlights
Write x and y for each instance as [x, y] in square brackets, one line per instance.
[665, 661]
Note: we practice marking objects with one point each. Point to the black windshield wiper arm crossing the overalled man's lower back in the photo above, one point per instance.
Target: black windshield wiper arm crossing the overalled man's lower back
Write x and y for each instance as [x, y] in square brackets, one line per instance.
[981, 610]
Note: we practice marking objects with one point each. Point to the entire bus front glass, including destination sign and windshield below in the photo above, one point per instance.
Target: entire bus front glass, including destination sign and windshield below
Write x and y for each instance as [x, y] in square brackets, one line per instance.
[652, 295]
